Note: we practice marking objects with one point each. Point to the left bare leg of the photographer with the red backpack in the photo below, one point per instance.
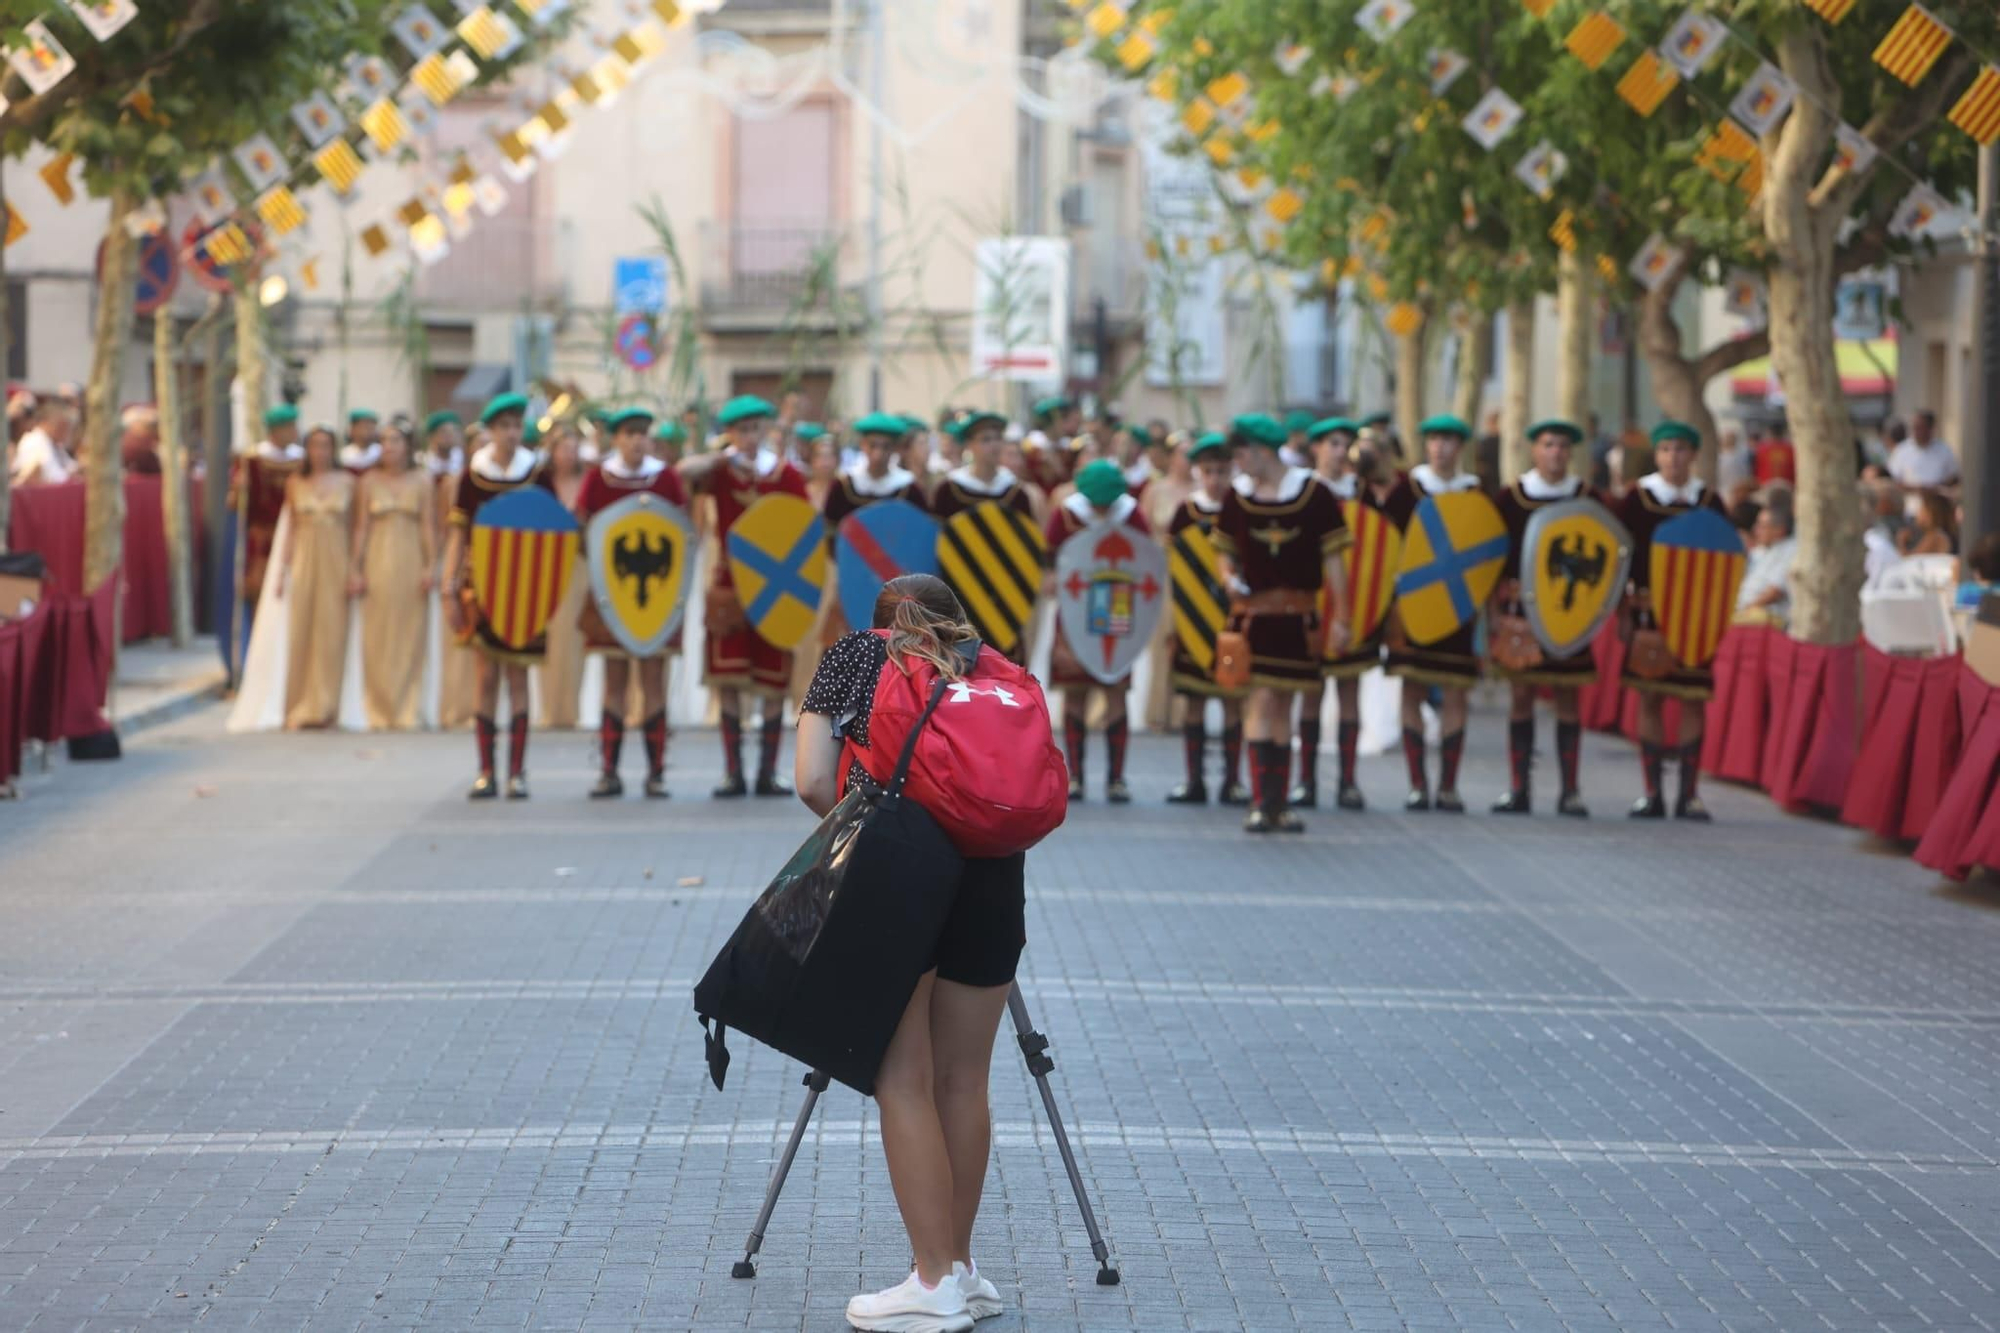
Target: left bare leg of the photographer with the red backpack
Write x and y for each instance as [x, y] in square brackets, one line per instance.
[913, 1140]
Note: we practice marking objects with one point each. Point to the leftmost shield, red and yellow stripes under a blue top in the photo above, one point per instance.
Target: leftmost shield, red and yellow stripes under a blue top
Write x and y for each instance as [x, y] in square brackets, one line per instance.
[523, 559]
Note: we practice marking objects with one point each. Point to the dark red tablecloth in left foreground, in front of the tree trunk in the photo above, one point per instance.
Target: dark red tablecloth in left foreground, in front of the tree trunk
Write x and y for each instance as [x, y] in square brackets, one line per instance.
[55, 674]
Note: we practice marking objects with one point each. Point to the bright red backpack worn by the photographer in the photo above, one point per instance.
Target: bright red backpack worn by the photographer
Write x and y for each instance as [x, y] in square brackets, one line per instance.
[987, 764]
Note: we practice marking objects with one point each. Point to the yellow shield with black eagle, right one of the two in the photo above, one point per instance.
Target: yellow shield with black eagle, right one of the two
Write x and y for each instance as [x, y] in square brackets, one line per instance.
[1575, 563]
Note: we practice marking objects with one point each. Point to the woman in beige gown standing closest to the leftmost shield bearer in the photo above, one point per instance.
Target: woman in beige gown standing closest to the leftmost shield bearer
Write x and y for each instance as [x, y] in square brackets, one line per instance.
[395, 569]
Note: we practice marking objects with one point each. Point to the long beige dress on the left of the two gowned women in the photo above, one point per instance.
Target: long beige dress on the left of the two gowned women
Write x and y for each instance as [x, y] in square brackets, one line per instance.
[317, 593]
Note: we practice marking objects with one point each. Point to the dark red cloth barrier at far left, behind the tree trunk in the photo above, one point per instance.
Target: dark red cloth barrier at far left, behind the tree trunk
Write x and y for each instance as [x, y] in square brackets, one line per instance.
[51, 523]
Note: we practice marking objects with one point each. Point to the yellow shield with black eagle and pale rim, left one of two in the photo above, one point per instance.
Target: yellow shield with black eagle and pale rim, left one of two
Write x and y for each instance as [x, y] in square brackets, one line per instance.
[641, 555]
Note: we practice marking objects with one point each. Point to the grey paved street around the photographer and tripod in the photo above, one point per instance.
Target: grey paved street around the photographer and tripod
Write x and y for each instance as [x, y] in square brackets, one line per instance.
[295, 1036]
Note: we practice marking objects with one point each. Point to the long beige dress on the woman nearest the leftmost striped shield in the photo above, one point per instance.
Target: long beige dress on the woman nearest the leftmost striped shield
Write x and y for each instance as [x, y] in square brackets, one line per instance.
[395, 607]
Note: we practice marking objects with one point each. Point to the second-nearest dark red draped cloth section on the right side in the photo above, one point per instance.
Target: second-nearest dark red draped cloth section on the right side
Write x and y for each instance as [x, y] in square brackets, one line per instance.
[1911, 742]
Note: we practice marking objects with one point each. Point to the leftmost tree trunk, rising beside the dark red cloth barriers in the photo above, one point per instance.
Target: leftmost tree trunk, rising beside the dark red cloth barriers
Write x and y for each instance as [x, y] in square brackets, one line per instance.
[103, 467]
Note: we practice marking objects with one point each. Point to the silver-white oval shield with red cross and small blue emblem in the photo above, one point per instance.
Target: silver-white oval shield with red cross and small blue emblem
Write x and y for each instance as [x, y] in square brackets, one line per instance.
[1111, 593]
